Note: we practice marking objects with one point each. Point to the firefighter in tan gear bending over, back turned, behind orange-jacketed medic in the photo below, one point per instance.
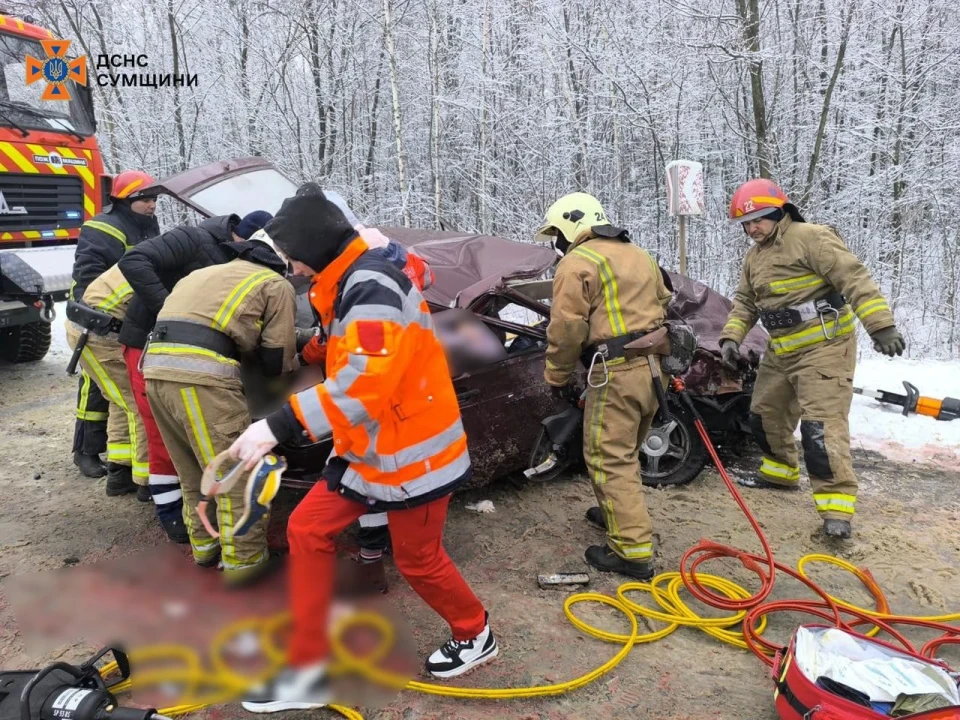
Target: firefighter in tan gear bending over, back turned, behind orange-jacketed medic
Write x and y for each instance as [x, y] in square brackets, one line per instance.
[192, 370]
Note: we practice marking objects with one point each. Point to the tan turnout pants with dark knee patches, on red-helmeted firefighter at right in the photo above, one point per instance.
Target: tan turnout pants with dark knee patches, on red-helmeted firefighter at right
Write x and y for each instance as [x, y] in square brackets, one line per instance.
[814, 386]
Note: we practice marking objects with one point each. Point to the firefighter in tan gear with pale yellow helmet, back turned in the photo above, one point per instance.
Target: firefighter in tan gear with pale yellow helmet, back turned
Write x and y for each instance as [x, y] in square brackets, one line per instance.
[607, 292]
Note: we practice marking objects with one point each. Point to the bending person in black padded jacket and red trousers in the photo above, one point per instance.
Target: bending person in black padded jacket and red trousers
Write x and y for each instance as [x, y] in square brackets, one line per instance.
[152, 269]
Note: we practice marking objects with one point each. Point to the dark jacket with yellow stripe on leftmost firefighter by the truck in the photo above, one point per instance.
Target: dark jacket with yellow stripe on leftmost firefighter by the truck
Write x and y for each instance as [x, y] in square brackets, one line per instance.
[104, 239]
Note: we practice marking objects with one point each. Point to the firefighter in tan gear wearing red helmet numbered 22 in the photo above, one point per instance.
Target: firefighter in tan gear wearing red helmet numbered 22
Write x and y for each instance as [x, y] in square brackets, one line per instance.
[807, 289]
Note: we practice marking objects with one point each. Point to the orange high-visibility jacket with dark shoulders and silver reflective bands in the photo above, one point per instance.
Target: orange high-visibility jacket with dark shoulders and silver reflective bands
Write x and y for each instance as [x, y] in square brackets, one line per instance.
[388, 399]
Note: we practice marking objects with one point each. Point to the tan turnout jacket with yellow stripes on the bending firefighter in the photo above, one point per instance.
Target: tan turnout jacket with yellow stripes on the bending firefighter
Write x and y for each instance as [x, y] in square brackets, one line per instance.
[251, 304]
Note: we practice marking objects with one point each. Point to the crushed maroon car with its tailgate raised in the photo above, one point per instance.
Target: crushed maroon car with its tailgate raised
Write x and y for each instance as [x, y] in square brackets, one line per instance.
[491, 305]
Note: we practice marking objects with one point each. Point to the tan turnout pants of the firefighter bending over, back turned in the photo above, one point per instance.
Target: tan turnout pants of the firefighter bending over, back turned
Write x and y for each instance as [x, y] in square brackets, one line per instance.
[197, 423]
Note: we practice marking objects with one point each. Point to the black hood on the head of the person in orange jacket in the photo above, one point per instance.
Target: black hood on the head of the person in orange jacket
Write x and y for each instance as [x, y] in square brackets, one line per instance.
[311, 227]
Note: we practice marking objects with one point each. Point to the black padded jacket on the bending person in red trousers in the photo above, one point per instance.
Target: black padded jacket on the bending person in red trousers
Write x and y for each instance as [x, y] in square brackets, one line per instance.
[153, 267]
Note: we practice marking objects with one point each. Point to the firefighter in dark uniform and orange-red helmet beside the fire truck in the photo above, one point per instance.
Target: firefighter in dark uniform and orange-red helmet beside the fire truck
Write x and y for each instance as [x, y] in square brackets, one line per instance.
[102, 242]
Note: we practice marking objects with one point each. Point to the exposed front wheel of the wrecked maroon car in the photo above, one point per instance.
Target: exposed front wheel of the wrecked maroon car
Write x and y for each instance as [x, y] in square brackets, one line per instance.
[674, 455]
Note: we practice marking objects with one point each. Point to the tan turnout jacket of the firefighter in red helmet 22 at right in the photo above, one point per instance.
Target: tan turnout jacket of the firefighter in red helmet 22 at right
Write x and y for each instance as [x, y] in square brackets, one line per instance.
[804, 262]
